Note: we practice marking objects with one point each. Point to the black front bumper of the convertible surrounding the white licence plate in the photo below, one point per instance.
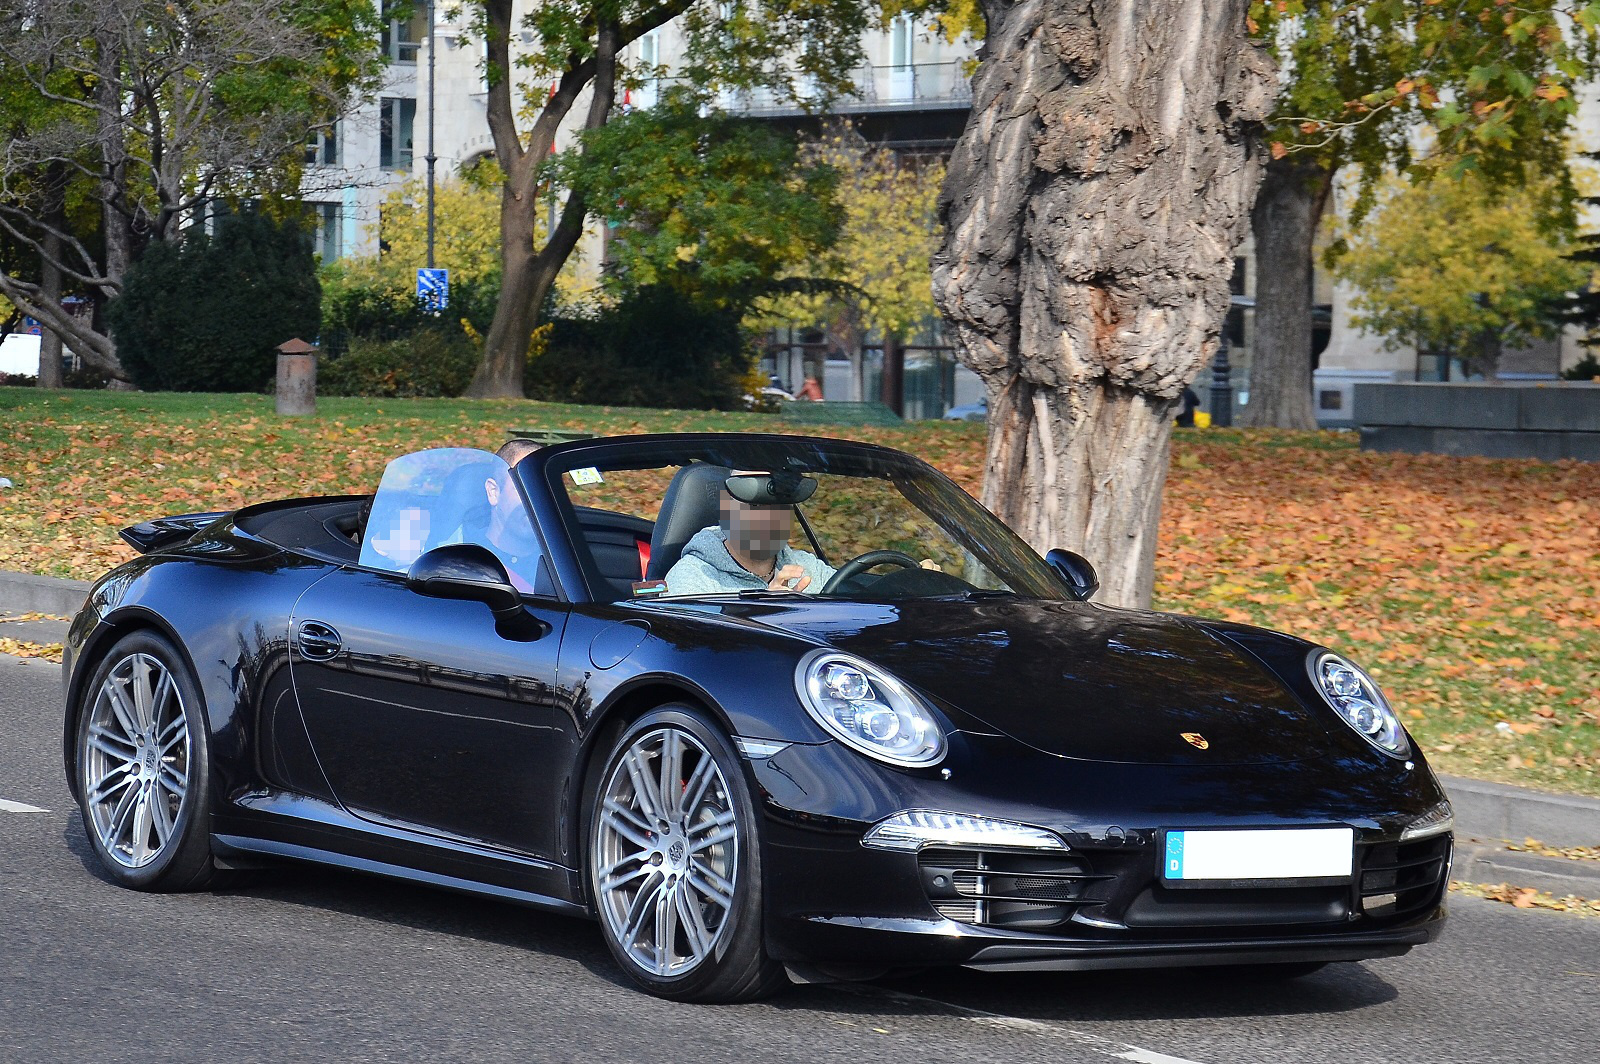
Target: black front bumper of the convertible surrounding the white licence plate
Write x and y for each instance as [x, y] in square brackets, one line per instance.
[1100, 905]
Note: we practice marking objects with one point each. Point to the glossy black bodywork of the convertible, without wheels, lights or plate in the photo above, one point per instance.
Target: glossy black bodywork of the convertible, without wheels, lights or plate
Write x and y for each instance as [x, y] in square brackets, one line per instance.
[361, 724]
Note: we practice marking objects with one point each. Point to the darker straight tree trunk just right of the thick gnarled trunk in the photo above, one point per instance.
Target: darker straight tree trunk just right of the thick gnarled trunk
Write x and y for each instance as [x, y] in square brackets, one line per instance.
[1289, 209]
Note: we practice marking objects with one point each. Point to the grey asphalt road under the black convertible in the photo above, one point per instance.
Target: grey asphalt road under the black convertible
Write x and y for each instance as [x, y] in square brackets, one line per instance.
[308, 966]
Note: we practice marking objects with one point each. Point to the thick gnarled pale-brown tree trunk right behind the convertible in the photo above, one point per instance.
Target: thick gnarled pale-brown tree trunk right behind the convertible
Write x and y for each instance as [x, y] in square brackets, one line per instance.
[1092, 212]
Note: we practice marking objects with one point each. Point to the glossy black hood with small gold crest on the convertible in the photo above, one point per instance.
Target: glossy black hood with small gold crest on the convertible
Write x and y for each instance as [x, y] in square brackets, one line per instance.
[1074, 679]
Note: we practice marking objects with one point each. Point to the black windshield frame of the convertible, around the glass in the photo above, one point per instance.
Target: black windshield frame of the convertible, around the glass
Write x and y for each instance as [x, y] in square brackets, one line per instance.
[543, 474]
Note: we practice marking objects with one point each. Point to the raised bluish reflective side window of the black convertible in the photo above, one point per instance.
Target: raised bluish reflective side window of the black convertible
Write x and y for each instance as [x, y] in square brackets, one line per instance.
[450, 495]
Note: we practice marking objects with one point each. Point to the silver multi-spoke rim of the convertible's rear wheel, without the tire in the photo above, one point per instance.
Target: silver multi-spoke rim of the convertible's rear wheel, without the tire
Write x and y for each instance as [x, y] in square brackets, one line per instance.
[135, 769]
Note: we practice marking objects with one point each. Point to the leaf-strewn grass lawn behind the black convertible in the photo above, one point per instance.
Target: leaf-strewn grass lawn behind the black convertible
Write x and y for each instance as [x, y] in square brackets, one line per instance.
[1470, 588]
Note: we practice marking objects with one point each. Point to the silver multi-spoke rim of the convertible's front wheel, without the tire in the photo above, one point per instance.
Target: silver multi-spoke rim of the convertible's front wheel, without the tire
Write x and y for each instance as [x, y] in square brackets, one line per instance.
[666, 852]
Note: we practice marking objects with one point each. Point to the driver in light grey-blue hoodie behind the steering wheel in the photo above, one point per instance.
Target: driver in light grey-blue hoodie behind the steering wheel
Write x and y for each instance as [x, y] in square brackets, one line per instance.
[748, 551]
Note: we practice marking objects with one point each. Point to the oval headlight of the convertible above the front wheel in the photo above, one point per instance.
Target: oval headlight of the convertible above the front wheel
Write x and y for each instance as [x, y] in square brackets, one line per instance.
[870, 710]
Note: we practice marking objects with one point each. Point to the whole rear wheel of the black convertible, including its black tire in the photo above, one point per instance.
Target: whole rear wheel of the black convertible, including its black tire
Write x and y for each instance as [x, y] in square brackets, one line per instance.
[182, 862]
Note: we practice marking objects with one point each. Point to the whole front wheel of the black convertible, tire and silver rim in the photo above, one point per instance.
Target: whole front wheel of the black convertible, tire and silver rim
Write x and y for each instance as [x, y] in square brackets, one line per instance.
[674, 863]
